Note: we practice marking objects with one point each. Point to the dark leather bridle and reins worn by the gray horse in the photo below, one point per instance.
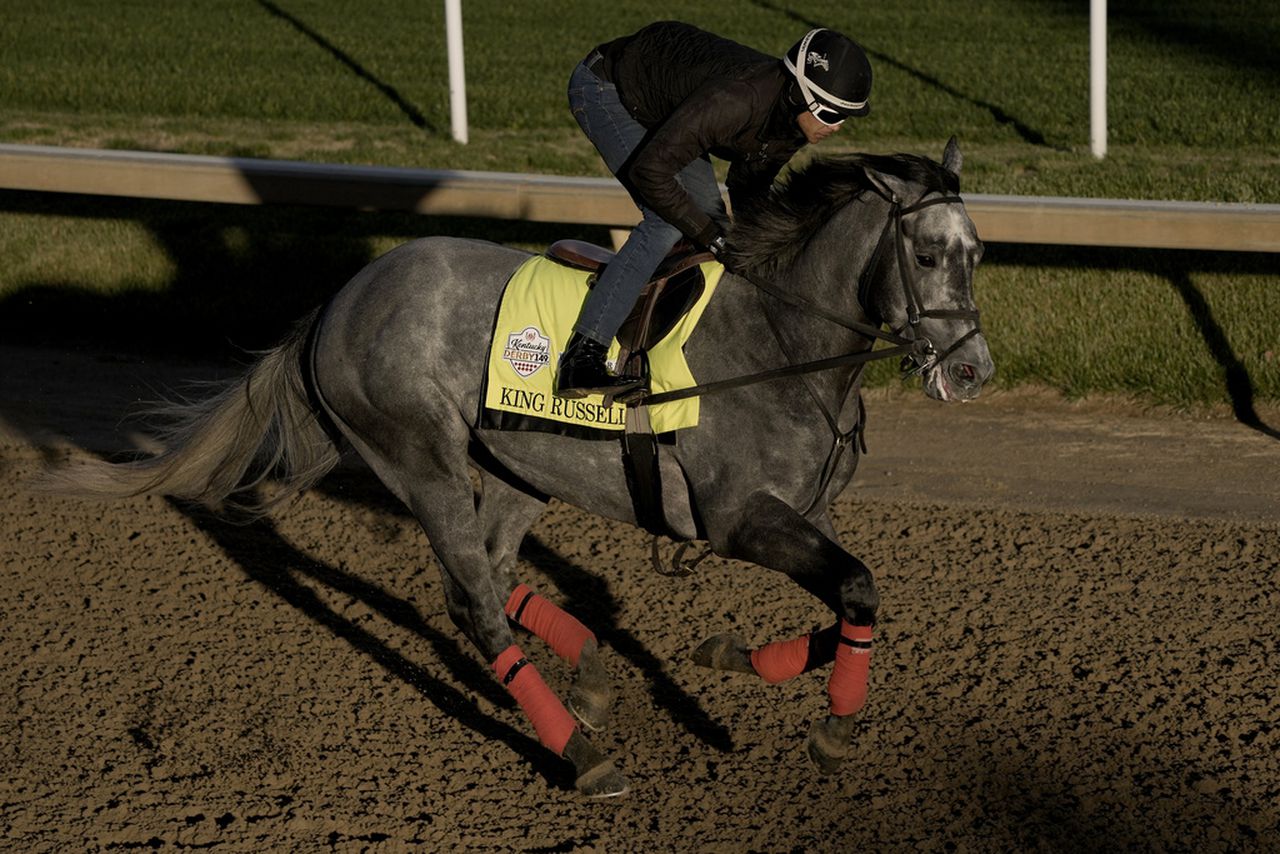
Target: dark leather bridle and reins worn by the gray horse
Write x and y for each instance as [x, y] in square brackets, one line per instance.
[917, 351]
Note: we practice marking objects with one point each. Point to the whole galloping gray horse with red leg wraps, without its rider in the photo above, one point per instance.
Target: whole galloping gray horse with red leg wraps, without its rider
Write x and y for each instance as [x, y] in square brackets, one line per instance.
[395, 366]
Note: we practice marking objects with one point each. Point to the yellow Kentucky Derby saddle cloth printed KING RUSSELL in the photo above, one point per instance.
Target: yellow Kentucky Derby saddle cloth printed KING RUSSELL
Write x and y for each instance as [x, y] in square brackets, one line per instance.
[540, 307]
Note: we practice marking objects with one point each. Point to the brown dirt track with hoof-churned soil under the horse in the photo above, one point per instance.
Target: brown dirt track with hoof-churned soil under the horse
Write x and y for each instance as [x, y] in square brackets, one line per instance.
[1078, 651]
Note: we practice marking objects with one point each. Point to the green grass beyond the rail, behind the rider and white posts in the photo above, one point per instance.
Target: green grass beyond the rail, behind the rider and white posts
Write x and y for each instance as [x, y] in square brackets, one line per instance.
[1191, 84]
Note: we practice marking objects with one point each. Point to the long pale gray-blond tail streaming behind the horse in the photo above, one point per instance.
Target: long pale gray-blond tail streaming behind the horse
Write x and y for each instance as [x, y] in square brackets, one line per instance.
[258, 427]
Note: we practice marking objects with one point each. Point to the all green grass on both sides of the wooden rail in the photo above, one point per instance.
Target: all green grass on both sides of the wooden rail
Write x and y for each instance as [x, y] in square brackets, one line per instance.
[1194, 89]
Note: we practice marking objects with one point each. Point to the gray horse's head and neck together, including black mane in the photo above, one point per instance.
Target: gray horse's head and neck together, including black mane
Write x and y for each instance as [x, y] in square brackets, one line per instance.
[881, 240]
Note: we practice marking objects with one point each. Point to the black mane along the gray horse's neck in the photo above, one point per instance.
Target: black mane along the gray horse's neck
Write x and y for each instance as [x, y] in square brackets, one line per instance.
[770, 235]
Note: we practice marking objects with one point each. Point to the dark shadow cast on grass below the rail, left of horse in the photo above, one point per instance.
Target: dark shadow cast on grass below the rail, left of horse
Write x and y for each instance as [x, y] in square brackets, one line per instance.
[237, 276]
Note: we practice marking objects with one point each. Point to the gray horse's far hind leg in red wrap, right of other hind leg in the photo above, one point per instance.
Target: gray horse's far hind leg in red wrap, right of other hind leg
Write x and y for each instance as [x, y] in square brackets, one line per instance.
[506, 514]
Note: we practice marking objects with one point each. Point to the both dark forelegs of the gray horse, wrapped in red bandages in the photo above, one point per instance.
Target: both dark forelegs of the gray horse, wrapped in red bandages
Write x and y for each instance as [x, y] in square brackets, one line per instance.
[772, 535]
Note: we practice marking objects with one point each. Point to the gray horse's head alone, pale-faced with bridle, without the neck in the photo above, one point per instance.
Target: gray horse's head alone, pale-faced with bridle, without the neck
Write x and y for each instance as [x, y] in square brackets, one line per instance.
[922, 285]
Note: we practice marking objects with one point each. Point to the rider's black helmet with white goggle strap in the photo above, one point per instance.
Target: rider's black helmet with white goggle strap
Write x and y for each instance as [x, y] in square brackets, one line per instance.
[834, 75]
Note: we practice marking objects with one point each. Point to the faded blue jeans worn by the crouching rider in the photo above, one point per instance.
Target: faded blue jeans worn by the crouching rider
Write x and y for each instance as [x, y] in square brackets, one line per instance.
[616, 135]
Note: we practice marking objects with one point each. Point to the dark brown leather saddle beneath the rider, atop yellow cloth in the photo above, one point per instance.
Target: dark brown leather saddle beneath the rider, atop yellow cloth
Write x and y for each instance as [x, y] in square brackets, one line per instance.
[675, 287]
